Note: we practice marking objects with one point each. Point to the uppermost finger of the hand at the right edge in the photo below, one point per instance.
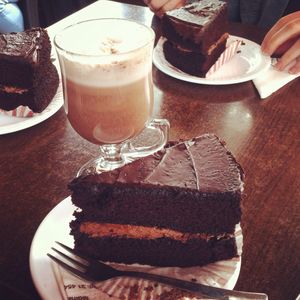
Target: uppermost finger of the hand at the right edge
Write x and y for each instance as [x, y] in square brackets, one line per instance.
[284, 30]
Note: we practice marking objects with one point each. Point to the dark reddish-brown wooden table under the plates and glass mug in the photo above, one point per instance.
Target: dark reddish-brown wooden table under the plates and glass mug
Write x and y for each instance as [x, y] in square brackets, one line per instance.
[37, 163]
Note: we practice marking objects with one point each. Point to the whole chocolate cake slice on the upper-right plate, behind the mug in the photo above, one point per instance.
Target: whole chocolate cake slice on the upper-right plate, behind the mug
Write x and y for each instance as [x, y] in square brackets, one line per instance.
[196, 35]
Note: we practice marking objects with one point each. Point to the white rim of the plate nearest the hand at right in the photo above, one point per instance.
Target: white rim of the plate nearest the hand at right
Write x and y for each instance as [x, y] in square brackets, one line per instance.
[266, 62]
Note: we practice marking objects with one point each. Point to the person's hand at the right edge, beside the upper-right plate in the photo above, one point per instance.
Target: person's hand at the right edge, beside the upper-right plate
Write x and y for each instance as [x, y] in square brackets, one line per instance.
[283, 40]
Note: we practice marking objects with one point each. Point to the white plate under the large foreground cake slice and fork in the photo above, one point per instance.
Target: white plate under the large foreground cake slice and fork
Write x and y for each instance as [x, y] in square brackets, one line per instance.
[55, 227]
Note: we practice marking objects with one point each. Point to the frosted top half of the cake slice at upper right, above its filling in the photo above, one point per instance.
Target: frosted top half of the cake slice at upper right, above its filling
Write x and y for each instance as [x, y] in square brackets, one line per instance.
[197, 25]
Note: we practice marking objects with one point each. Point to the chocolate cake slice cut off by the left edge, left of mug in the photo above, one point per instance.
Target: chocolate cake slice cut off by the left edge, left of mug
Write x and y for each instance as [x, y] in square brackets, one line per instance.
[27, 75]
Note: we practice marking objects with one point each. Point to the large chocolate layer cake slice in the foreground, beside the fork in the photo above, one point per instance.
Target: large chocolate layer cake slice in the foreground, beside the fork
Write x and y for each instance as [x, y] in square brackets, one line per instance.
[177, 207]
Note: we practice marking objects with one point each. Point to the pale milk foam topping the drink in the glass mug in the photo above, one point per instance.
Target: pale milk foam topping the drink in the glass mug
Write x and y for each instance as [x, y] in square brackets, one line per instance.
[106, 52]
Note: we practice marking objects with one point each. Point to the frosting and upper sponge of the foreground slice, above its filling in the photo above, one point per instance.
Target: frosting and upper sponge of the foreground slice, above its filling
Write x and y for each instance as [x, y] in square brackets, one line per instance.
[192, 187]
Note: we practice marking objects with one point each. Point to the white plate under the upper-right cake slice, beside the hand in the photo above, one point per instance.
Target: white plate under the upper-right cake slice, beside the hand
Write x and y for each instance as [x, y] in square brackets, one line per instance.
[243, 66]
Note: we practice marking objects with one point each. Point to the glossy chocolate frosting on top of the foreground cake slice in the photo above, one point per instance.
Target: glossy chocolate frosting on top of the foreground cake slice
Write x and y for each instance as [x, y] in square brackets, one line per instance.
[202, 164]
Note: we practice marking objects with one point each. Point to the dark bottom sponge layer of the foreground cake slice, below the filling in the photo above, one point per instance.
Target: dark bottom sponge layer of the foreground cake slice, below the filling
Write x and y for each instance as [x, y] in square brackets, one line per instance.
[157, 252]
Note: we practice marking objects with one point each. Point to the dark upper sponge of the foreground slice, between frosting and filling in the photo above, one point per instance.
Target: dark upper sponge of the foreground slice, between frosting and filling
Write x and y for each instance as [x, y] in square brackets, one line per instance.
[162, 208]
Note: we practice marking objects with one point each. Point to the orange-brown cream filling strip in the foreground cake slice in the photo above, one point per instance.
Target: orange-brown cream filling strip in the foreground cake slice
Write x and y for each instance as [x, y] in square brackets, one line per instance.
[142, 232]
